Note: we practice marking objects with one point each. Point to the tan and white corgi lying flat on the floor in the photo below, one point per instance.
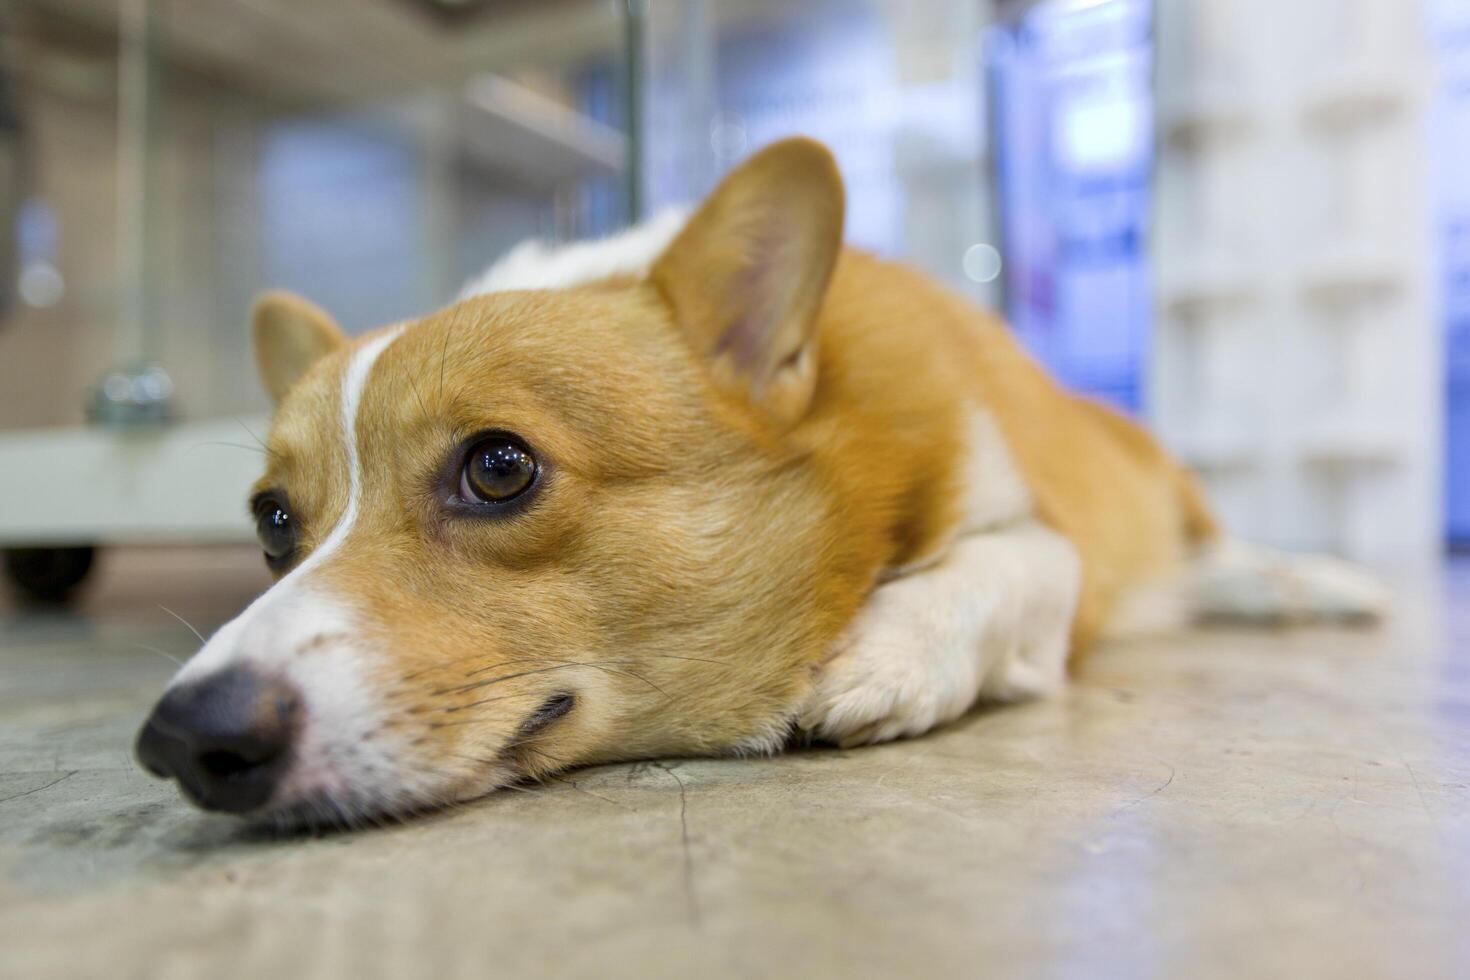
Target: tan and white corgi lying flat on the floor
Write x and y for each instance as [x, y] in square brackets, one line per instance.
[687, 491]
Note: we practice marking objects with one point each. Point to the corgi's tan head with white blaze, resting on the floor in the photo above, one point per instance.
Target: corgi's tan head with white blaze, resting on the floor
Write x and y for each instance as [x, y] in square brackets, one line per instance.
[534, 530]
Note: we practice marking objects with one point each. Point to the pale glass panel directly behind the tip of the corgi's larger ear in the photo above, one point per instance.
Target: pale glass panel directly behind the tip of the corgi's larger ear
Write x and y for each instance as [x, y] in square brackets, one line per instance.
[894, 89]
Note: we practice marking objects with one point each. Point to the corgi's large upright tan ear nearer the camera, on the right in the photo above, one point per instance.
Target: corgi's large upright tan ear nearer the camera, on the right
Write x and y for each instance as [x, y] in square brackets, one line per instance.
[747, 274]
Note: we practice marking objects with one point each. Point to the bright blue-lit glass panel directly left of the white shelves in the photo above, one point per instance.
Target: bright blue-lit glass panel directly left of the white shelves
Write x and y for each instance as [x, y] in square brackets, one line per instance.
[1075, 159]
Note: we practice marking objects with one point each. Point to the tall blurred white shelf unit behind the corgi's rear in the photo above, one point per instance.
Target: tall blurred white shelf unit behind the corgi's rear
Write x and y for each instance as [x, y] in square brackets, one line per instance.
[1309, 417]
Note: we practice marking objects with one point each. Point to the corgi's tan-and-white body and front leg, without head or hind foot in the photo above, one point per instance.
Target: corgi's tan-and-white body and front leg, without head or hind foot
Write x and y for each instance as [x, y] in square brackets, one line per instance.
[990, 565]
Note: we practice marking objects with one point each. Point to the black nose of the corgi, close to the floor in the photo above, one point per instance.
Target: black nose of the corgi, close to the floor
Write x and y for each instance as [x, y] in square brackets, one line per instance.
[227, 738]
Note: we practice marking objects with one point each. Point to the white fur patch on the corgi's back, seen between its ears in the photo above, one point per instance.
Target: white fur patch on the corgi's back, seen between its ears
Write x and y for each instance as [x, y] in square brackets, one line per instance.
[531, 265]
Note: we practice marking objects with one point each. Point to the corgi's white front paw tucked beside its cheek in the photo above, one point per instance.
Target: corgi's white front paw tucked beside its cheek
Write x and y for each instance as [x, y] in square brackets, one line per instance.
[894, 678]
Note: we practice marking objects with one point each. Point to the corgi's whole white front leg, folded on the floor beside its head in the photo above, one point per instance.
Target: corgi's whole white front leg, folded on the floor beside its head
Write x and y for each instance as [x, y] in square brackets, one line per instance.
[990, 622]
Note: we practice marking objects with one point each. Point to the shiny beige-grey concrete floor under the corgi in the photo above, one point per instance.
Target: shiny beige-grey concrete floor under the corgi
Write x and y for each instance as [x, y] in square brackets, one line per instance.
[1213, 806]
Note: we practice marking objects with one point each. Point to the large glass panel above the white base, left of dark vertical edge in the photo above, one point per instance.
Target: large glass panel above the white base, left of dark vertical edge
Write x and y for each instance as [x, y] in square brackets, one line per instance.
[371, 156]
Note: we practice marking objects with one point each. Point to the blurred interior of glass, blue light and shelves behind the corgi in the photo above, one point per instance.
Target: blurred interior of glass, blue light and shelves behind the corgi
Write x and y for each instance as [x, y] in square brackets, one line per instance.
[1246, 223]
